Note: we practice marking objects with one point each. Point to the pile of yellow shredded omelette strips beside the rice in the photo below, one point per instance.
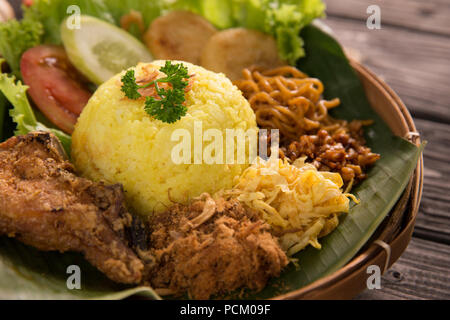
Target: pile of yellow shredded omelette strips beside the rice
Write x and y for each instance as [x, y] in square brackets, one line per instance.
[299, 202]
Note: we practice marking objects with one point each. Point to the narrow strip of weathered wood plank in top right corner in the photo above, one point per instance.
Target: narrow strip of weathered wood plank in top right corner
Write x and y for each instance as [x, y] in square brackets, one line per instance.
[430, 16]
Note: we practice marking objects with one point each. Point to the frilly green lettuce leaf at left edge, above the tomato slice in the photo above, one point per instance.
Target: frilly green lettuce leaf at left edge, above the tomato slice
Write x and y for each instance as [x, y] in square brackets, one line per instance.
[15, 38]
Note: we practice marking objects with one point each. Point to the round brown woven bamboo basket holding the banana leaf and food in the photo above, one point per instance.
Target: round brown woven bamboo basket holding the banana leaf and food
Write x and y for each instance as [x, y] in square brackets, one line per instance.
[393, 235]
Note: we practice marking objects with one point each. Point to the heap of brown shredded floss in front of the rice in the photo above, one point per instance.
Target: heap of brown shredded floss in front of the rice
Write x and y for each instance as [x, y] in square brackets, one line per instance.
[212, 247]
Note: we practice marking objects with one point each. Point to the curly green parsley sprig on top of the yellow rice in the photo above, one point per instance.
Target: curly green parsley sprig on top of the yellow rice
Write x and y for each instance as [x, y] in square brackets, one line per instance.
[169, 107]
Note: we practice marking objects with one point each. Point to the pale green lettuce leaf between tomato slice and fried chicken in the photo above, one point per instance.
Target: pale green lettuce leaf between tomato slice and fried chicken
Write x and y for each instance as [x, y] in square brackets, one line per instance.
[22, 113]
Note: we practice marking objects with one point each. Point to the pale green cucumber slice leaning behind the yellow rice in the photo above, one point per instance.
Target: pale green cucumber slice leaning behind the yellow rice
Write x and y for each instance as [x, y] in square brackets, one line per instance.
[100, 50]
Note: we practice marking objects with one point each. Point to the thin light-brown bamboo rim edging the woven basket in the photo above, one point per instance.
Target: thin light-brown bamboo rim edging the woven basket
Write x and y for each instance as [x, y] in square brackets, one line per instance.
[413, 191]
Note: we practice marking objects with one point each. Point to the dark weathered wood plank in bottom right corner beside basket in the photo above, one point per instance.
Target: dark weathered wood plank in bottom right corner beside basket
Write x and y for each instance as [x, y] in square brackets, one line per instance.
[422, 272]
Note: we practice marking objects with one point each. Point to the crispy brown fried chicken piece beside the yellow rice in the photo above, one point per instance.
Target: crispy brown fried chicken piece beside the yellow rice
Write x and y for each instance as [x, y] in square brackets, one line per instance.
[44, 204]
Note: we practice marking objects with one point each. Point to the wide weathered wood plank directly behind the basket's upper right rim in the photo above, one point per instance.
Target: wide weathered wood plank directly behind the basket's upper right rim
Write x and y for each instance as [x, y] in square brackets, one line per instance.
[416, 65]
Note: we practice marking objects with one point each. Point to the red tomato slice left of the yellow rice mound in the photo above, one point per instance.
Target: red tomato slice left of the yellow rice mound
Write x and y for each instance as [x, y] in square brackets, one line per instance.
[56, 87]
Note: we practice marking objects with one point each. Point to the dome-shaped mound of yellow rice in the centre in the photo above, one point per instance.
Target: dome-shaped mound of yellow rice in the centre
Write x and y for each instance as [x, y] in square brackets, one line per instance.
[115, 140]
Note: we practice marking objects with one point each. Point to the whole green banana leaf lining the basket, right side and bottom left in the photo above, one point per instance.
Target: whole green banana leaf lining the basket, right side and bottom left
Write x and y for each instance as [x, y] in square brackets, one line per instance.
[26, 273]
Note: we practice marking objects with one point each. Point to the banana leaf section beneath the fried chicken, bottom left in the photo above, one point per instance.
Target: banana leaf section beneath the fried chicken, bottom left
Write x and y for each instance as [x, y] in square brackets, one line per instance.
[27, 273]
